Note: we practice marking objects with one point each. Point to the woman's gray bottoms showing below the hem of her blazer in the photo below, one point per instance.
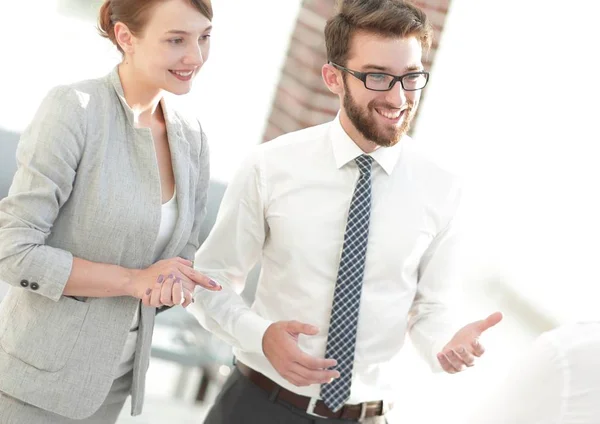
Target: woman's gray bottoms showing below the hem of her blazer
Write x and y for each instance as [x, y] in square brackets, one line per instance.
[13, 411]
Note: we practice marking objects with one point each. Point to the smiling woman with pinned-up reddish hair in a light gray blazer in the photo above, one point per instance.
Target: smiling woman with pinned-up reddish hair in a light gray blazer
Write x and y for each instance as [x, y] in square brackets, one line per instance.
[102, 221]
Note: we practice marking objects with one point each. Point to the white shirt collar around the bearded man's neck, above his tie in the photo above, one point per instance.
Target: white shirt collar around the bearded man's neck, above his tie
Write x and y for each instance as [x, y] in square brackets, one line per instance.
[346, 150]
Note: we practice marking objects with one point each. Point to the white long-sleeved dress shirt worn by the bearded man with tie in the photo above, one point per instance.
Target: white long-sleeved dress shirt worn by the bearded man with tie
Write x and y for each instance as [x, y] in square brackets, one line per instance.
[287, 207]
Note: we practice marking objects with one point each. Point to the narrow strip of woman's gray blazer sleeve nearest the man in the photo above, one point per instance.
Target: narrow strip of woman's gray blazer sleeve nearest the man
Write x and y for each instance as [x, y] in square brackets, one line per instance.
[193, 244]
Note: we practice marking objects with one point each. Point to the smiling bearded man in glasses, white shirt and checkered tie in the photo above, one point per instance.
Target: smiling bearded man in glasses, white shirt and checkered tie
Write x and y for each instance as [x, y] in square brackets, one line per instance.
[353, 227]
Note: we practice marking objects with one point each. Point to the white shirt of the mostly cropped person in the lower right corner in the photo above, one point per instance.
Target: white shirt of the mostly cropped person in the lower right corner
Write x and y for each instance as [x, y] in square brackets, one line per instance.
[556, 382]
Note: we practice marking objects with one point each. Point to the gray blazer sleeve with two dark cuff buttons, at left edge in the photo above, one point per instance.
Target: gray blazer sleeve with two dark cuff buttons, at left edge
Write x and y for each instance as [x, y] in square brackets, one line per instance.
[48, 154]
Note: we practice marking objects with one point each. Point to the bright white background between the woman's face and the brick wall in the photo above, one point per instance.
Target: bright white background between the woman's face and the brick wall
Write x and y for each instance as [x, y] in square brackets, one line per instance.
[237, 87]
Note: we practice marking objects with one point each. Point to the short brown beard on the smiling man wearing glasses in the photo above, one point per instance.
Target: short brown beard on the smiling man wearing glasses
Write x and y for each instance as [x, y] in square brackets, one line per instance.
[364, 121]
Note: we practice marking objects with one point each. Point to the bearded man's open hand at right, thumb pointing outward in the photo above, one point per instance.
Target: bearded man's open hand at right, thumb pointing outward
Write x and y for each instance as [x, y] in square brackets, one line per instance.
[465, 346]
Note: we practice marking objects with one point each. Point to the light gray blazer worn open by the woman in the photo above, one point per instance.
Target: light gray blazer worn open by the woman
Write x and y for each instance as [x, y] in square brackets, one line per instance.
[87, 185]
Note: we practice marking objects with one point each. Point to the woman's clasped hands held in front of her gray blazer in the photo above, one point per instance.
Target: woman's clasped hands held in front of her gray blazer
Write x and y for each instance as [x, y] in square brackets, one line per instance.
[168, 282]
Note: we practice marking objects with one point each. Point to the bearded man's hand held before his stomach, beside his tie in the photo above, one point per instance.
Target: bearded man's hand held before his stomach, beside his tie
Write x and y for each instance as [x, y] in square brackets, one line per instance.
[280, 345]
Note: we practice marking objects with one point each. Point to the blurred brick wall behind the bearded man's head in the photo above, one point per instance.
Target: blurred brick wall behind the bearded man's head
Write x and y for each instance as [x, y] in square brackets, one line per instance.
[302, 99]
